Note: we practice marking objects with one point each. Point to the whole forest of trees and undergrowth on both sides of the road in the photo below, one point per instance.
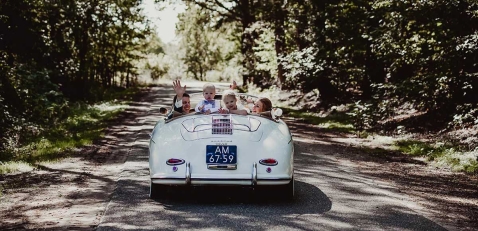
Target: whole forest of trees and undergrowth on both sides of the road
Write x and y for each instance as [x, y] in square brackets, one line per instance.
[380, 56]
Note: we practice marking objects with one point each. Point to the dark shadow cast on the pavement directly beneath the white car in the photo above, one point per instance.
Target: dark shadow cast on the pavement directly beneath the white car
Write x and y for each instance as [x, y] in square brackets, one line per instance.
[308, 200]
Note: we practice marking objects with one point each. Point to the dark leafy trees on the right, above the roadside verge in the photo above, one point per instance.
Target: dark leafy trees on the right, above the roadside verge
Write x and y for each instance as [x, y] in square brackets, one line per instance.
[424, 52]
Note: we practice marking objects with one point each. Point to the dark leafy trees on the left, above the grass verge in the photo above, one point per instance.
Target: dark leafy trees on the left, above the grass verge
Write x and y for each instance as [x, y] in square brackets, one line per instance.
[54, 53]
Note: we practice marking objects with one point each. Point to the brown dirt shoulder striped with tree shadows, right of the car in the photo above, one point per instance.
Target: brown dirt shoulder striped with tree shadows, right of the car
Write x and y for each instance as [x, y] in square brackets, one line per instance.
[451, 197]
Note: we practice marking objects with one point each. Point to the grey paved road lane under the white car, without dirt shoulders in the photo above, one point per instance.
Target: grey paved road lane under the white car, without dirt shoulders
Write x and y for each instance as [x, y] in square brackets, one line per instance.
[330, 193]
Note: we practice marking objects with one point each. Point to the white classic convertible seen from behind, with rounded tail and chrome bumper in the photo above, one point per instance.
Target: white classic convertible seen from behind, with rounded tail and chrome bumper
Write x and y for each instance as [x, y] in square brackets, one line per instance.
[220, 150]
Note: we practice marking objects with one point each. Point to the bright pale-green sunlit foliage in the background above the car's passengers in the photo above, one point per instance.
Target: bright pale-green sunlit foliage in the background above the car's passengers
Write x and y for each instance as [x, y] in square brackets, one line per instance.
[207, 49]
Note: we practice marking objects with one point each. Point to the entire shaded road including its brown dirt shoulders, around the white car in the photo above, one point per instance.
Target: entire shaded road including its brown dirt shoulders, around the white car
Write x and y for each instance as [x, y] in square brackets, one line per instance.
[105, 186]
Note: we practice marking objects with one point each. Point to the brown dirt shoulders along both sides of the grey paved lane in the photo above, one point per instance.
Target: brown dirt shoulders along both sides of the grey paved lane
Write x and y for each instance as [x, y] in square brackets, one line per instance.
[75, 192]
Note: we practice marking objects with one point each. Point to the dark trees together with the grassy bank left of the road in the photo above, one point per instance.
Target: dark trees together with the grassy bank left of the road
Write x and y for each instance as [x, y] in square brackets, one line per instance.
[66, 68]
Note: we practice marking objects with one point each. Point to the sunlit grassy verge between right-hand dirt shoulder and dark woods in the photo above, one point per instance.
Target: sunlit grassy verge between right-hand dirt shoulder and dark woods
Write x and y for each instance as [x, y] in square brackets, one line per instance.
[438, 149]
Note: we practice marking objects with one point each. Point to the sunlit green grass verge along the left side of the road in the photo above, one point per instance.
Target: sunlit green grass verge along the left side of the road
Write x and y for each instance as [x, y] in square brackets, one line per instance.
[84, 125]
